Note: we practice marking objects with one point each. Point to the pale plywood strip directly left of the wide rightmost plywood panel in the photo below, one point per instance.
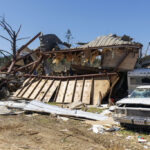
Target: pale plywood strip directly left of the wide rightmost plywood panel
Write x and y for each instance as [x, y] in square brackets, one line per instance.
[87, 92]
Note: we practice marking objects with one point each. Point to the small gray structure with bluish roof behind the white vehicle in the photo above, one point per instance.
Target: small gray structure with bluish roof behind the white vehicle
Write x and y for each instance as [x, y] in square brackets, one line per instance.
[138, 77]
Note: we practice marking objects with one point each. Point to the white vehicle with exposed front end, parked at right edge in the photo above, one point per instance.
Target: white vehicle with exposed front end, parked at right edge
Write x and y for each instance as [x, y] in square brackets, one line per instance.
[135, 109]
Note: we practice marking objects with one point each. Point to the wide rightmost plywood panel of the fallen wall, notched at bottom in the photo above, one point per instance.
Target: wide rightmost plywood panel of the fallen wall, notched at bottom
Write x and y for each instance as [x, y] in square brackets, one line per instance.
[100, 85]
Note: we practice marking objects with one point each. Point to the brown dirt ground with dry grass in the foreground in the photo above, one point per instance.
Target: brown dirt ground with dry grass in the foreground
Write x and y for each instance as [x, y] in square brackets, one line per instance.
[44, 132]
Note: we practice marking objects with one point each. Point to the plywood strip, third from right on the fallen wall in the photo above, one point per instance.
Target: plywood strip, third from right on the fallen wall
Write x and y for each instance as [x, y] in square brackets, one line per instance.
[78, 90]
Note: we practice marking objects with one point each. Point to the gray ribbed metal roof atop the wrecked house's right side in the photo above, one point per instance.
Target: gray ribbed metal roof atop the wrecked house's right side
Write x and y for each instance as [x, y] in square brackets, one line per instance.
[108, 40]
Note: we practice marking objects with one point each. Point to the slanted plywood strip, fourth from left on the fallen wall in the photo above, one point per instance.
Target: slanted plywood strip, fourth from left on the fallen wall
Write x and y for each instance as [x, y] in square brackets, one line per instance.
[44, 90]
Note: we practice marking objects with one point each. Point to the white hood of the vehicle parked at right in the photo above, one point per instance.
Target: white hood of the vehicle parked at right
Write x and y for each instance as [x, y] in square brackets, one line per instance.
[143, 101]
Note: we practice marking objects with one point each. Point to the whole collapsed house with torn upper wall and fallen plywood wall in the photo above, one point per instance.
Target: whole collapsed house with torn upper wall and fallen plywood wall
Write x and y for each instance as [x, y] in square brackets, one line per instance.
[83, 83]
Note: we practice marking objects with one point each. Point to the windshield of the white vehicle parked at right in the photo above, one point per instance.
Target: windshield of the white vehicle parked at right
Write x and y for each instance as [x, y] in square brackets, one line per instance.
[141, 93]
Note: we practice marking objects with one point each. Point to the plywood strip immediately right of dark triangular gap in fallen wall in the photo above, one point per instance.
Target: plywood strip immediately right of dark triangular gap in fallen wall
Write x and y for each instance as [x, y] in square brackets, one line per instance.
[61, 92]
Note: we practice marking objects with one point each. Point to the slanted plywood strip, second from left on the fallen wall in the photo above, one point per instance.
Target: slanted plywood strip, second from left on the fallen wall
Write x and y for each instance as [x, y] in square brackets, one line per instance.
[31, 88]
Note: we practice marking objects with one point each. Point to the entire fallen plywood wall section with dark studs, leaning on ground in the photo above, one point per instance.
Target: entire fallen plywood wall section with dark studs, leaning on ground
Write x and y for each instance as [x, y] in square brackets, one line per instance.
[88, 91]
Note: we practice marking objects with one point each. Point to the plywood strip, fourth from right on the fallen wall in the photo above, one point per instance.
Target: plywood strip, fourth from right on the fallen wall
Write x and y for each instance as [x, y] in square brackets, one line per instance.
[69, 92]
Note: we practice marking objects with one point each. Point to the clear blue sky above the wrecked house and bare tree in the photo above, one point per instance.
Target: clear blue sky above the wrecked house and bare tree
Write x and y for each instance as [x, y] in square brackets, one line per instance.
[86, 19]
